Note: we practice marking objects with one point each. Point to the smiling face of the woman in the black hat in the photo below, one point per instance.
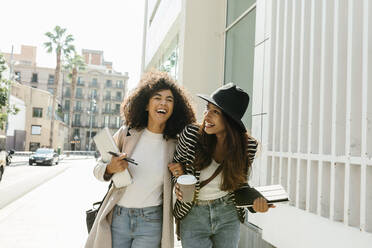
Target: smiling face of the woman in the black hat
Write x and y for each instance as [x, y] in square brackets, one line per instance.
[213, 120]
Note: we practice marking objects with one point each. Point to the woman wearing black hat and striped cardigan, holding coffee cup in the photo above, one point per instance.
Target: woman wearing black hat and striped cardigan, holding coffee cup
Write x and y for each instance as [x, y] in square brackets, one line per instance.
[219, 153]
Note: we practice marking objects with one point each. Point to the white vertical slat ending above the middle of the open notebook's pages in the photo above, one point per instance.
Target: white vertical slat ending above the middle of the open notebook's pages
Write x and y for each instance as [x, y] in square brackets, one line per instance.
[277, 29]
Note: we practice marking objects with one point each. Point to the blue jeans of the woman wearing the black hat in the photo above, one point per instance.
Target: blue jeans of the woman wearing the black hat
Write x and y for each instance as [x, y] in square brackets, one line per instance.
[211, 224]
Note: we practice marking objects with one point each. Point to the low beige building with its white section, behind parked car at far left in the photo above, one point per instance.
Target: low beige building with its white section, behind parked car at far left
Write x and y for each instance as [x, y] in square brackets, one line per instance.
[30, 128]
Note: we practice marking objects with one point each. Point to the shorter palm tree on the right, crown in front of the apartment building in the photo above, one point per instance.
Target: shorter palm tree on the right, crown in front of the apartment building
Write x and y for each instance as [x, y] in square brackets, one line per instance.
[74, 64]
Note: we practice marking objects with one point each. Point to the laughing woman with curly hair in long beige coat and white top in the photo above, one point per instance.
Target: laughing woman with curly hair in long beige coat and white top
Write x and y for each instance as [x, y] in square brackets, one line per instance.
[140, 214]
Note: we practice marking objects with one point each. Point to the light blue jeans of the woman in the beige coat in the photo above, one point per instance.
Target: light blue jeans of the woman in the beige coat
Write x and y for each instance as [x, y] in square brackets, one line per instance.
[137, 227]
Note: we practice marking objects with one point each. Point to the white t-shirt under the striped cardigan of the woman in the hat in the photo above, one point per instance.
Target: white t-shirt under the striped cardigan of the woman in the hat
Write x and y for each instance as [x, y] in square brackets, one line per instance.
[212, 190]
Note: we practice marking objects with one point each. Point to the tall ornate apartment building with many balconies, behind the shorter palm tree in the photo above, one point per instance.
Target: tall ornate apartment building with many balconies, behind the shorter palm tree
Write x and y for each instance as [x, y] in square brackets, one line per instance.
[99, 93]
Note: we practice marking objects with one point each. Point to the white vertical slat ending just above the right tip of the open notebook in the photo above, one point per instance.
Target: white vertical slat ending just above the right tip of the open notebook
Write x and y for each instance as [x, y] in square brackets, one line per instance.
[291, 93]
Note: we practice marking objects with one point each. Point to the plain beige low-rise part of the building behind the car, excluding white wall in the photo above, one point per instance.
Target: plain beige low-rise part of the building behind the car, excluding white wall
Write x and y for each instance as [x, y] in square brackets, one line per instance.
[38, 118]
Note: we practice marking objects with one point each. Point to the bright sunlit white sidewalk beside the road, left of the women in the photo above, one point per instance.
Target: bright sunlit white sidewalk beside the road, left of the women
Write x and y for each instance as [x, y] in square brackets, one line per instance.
[53, 215]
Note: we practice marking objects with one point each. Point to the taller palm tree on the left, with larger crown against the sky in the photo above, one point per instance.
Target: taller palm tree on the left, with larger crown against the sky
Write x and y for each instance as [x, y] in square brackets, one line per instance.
[60, 43]
